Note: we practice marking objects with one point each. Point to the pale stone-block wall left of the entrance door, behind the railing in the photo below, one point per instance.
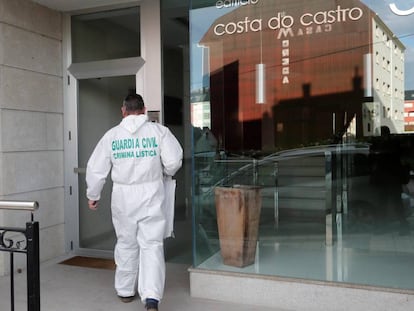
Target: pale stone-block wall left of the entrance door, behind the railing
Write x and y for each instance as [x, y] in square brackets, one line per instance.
[31, 121]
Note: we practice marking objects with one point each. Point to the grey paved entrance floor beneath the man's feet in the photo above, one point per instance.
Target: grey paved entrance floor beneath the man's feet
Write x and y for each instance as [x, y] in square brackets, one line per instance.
[69, 288]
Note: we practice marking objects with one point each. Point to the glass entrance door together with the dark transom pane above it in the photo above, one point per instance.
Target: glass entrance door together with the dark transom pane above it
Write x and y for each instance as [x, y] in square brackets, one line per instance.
[105, 65]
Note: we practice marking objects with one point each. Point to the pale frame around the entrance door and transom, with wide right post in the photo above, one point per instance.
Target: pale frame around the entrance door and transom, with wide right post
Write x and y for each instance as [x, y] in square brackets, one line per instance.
[147, 71]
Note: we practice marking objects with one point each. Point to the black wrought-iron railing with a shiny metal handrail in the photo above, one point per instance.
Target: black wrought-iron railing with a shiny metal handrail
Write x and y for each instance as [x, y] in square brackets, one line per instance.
[26, 241]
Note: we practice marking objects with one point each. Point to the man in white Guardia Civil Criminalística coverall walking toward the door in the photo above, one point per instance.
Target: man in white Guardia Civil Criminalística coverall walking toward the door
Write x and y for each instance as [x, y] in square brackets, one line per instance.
[139, 153]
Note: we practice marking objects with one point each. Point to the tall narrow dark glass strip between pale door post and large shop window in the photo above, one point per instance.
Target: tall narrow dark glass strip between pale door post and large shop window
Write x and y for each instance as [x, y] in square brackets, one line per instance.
[174, 33]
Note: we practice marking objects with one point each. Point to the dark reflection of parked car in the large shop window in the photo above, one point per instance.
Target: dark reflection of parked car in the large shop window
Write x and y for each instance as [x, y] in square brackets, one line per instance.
[307, 184]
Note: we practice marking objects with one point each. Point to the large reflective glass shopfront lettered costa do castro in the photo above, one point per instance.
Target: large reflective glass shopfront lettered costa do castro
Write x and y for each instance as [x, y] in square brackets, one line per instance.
[303, 123]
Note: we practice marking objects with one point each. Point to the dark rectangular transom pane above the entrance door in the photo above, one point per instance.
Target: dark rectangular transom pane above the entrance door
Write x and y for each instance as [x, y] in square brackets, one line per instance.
[106, 35]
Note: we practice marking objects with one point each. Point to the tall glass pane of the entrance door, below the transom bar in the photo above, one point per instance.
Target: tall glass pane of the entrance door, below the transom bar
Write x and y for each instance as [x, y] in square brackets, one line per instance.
[100, 102]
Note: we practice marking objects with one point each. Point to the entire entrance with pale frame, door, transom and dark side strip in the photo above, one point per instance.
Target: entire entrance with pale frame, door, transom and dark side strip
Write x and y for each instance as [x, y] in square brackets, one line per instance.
[95, 90]
